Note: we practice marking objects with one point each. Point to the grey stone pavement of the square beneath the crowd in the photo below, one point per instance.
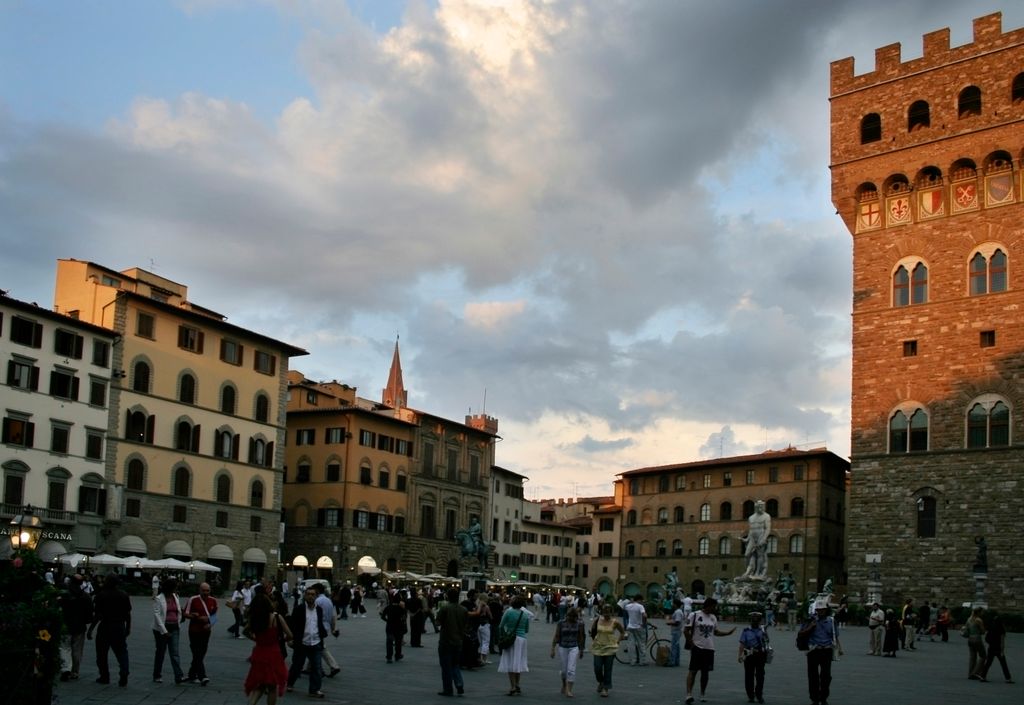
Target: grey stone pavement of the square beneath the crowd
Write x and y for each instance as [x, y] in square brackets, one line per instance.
[935, 673]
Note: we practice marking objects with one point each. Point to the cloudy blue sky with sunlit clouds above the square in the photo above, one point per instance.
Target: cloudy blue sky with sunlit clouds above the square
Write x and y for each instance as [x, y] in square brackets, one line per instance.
[609, 225]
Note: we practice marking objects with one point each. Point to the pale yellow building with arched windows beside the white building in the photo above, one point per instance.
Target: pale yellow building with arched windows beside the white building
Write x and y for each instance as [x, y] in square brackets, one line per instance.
[195, 445]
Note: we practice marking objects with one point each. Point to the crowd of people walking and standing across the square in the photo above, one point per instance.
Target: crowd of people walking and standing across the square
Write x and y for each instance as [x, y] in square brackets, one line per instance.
[291, 636]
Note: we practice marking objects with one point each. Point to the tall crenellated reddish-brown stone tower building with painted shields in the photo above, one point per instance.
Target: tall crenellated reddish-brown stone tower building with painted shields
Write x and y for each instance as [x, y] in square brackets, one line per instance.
[926, 176]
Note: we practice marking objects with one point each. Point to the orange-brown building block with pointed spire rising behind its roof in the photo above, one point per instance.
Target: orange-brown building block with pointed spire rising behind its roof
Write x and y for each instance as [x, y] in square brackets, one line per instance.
[380, 485]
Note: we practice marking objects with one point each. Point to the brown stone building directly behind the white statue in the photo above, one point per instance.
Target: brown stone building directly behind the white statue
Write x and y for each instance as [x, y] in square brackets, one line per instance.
[690, 518]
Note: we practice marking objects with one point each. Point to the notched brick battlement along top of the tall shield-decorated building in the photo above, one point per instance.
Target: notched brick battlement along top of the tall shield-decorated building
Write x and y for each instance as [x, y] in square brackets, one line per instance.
[989, 37]
